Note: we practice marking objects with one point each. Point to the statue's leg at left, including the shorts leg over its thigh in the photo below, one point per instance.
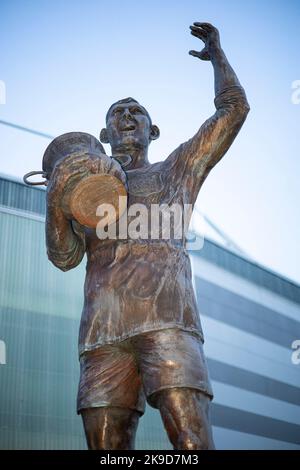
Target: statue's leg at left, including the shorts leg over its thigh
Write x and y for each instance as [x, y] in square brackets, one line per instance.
[110, 396]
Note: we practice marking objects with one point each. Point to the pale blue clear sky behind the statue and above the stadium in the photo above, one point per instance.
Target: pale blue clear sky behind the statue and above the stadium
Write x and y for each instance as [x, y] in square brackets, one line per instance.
[64, 63]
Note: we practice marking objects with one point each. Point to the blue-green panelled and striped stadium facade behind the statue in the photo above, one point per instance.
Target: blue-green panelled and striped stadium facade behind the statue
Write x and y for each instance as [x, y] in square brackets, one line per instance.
[250, 316]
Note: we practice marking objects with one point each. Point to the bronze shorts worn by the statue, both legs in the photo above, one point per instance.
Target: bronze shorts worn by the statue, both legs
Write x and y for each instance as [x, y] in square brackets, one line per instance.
[125, 374]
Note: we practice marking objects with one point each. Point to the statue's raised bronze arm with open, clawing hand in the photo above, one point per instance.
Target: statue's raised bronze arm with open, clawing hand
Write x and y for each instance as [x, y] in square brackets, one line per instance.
[196, 157]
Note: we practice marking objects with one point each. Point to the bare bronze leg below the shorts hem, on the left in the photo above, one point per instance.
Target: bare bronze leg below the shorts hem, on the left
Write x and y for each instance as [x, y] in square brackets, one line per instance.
[110, 428]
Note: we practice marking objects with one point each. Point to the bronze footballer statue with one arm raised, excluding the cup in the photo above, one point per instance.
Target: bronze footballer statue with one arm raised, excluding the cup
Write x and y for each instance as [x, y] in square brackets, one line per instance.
[140, 334]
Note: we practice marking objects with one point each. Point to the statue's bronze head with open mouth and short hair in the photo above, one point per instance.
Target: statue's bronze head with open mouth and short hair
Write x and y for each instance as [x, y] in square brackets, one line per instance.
[128, 125]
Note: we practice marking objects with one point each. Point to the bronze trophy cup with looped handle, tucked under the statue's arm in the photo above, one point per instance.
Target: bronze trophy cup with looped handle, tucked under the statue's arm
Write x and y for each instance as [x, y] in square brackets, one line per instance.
[86, 191]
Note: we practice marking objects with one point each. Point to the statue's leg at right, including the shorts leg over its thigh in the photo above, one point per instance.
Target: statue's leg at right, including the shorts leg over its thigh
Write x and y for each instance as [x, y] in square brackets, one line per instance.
[176, 381]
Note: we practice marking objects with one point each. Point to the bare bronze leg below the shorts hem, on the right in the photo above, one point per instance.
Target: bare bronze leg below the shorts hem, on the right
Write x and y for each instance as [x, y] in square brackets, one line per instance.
[185, 414]
